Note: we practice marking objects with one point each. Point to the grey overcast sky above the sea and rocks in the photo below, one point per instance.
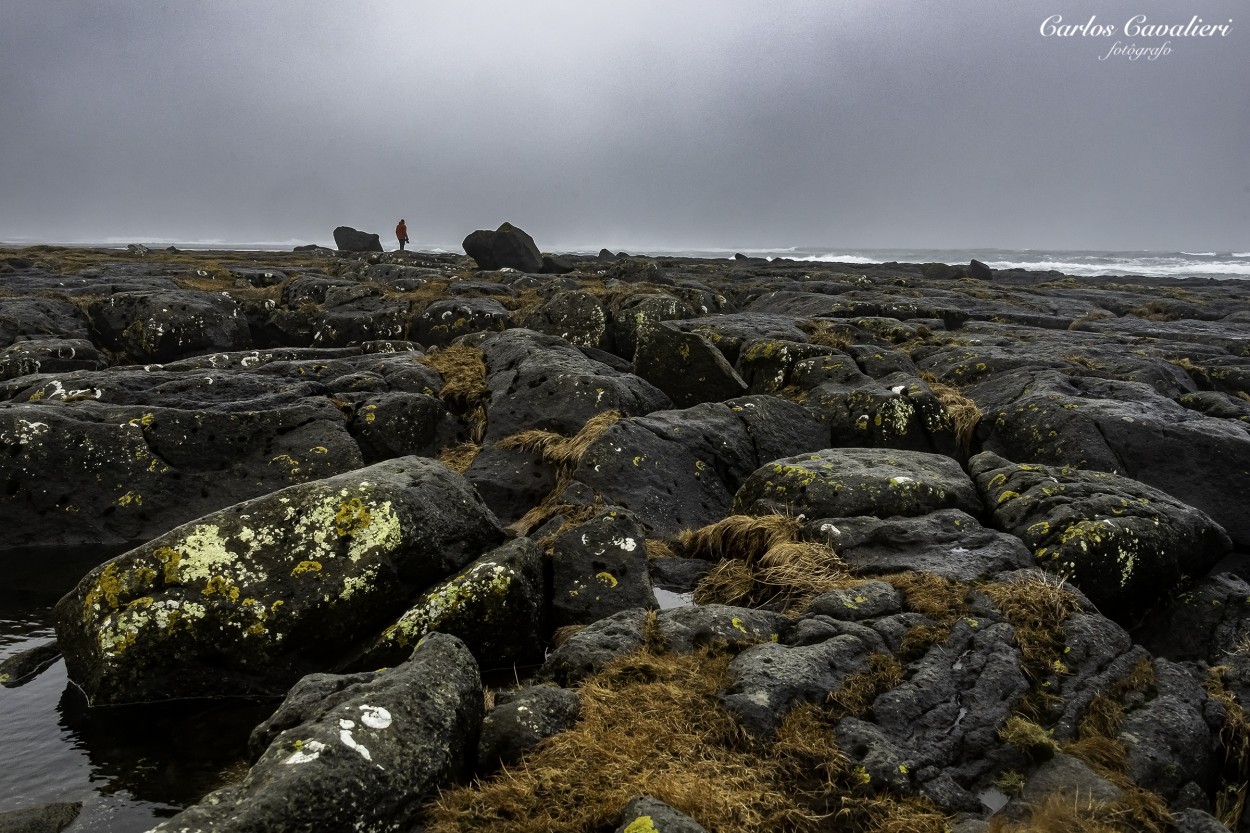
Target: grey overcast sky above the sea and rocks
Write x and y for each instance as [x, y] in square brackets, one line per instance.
[637, 124]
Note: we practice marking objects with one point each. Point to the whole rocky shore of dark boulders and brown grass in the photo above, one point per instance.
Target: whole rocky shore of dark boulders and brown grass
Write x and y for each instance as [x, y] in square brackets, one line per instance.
[967, 548]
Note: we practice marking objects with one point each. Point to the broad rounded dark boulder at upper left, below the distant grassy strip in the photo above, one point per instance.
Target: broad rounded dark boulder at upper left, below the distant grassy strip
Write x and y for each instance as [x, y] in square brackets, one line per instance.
[152, 327]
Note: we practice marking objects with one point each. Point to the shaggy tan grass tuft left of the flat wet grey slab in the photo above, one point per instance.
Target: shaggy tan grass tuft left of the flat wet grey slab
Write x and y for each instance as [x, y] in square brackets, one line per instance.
[762, 565]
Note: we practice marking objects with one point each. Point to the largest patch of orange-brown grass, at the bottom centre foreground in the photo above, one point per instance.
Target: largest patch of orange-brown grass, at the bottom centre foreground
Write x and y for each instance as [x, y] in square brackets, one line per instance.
[653, 725]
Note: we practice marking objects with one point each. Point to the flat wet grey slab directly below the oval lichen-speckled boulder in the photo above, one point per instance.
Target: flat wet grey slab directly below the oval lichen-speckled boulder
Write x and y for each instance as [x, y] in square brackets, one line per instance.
[948, 543]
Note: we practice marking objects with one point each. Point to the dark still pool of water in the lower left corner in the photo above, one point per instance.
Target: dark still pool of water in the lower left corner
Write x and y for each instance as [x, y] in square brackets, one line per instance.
[129, 767]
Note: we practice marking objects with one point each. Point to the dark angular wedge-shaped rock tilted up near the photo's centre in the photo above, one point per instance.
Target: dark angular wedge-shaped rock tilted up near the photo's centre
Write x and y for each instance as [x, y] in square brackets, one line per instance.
[686, 367]
